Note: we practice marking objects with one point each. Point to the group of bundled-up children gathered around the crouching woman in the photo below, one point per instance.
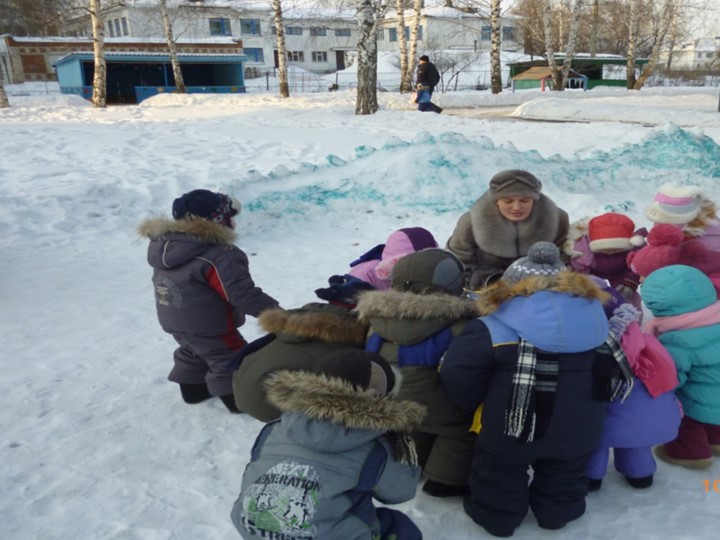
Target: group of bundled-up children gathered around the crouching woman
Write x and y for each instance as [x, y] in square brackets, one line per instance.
[401, 372]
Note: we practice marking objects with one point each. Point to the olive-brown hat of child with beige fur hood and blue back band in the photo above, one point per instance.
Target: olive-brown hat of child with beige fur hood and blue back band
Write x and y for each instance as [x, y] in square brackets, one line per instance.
[429, 271]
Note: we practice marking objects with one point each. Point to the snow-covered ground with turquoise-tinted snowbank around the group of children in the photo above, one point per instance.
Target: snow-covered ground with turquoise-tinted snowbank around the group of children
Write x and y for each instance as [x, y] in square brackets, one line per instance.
[96, 444]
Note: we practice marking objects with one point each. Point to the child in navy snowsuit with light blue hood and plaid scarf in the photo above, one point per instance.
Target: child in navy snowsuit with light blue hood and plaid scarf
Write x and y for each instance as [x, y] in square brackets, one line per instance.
[531, 362]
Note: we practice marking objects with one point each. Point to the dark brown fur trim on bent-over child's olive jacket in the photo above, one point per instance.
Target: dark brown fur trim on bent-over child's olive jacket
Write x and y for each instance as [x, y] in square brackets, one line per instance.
[316, 321]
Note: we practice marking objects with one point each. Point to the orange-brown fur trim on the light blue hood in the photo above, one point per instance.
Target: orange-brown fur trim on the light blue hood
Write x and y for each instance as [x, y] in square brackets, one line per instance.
[492, 297]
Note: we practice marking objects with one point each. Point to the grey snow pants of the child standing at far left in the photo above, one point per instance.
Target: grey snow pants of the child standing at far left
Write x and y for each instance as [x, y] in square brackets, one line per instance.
[207, 359]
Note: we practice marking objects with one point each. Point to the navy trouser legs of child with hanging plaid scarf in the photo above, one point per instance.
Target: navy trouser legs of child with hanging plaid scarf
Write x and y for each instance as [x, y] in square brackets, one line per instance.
[500, 495]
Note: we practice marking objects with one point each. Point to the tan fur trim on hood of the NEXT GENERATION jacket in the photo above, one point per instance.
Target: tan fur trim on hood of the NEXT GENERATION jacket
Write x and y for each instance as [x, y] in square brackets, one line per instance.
[335, 400]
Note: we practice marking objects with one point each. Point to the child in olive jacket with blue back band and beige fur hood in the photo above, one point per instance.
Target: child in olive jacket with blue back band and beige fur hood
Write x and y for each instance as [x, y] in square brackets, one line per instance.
[411, 326]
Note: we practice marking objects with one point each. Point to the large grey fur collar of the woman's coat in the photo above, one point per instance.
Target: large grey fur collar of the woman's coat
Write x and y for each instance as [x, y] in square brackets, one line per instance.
[504, 238]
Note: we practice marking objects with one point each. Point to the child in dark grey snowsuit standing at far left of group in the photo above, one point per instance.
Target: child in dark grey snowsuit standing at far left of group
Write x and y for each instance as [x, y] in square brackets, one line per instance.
[203, 290]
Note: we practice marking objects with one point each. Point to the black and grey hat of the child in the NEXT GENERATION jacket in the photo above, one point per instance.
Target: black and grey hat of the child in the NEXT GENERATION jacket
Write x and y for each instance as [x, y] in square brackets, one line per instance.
[364, 370]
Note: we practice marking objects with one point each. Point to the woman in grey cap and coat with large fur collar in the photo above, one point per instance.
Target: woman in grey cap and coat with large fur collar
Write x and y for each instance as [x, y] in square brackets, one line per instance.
[503, 223]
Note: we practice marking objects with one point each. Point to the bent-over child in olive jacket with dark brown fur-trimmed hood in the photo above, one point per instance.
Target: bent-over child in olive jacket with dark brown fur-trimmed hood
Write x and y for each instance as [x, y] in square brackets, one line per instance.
[296, 340]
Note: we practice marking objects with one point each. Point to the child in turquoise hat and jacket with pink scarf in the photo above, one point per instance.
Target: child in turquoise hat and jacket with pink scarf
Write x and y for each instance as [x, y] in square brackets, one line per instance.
[687, 321]
